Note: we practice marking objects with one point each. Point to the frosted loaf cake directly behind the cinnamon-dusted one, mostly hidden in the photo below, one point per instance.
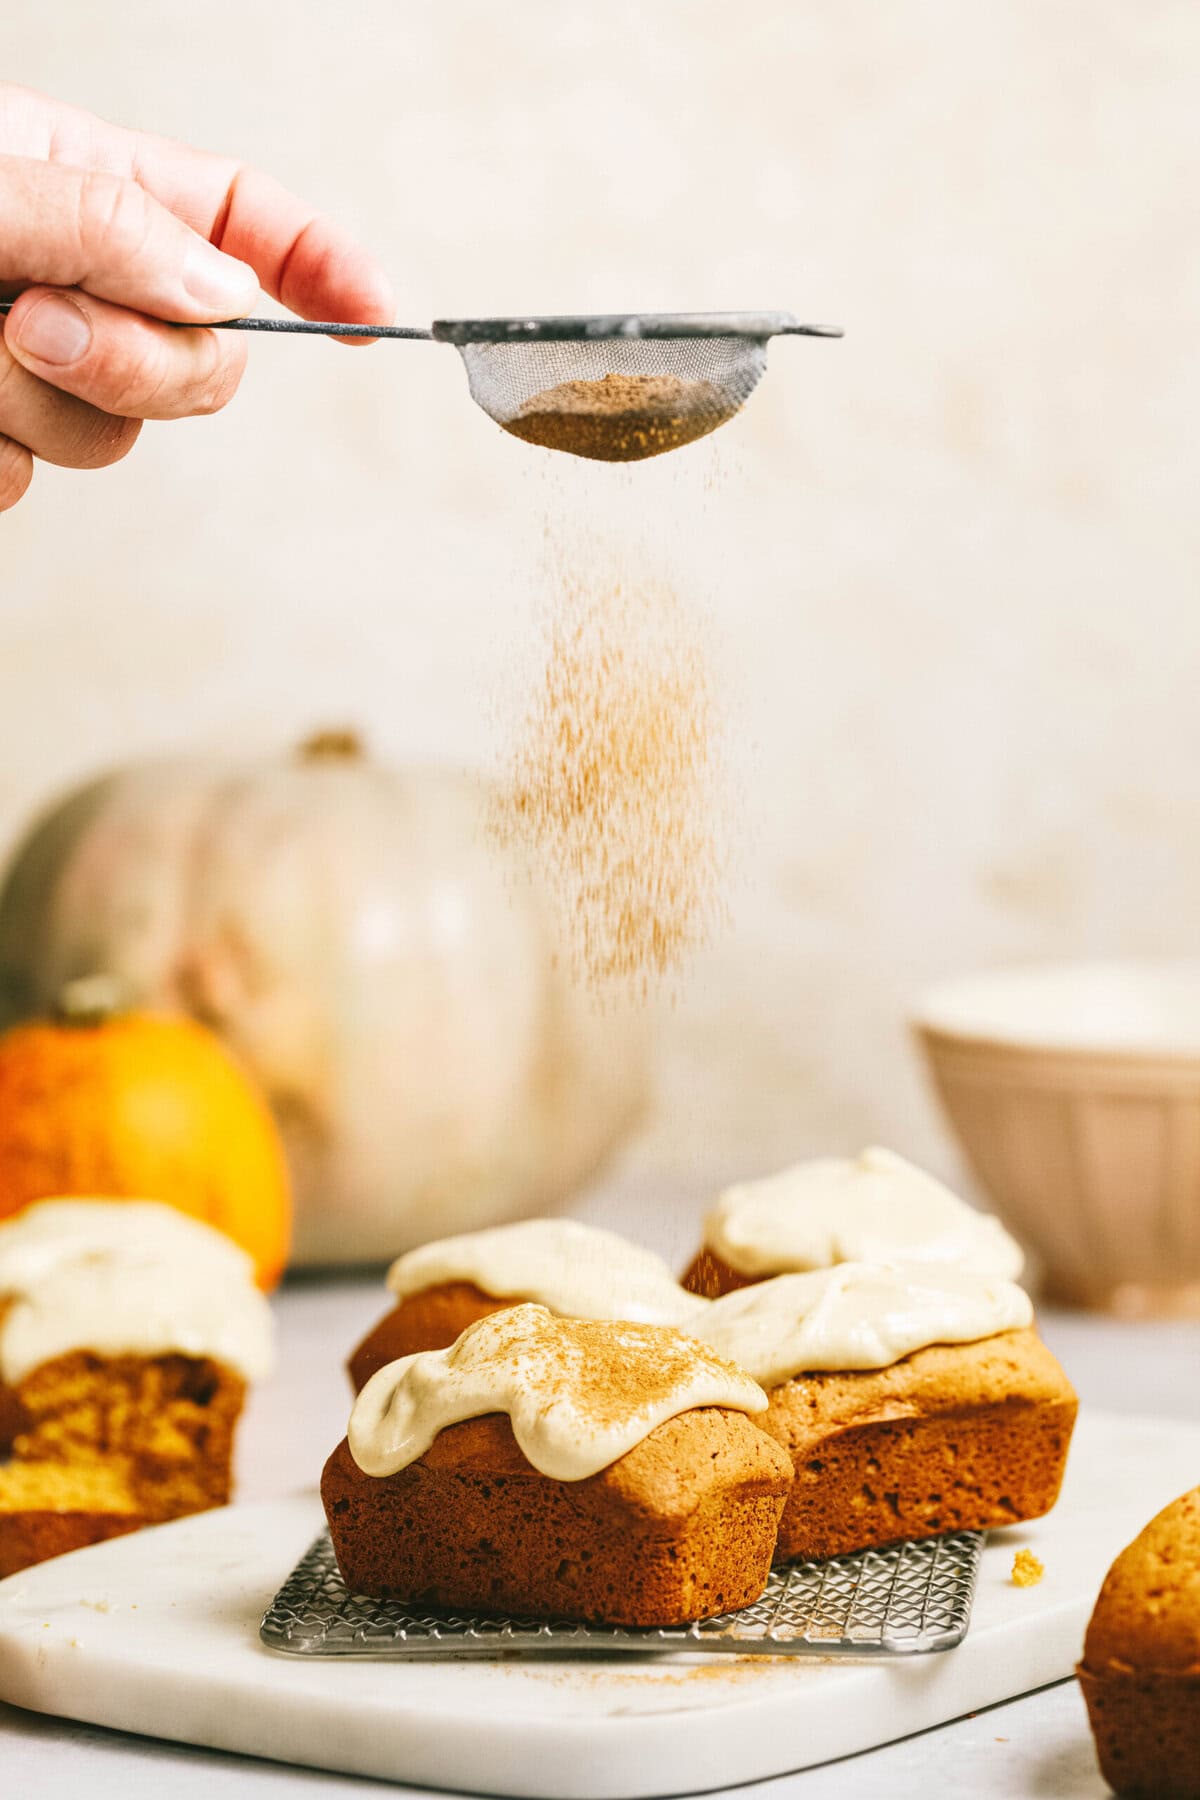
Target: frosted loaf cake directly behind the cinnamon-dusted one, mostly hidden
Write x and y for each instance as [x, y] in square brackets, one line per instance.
[575, 1270]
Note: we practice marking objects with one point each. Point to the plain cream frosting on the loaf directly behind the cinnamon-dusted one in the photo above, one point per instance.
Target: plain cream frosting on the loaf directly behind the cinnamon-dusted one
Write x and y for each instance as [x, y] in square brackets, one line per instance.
[575, 1270]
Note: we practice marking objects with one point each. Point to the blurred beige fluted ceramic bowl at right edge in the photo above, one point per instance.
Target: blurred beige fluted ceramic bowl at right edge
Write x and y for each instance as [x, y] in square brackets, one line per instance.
[1075, 1092]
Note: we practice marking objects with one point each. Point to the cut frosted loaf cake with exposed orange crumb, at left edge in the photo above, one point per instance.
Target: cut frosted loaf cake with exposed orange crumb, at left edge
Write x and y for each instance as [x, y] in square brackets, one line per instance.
[129, 1335]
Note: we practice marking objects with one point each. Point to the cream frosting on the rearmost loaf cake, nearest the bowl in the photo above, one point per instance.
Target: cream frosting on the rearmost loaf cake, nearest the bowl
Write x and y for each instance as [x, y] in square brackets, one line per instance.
[870, 1209]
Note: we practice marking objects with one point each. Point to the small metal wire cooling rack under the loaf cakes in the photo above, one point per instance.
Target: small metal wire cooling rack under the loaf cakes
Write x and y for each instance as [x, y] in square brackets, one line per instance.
[904, 1601]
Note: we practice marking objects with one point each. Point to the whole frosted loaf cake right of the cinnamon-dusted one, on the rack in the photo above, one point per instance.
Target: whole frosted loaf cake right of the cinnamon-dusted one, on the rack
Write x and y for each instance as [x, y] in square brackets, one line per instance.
[911, 1399]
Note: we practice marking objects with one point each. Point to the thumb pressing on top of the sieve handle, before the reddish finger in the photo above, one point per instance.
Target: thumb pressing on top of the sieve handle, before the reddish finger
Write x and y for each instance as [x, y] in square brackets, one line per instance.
[73, 228]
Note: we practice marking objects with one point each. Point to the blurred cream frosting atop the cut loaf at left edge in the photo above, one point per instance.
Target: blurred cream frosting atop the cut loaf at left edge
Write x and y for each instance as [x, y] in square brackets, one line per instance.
[127, 1279]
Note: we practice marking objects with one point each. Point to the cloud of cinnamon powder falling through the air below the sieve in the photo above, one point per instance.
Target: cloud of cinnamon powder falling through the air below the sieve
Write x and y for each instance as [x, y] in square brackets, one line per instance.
[614, 780]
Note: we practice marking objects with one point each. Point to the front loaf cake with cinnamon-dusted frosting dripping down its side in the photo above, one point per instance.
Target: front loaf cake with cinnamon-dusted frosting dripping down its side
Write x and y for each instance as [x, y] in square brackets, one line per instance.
[560, 1468]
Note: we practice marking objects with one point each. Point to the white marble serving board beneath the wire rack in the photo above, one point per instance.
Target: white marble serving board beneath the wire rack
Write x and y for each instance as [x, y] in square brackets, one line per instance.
[157, 1633]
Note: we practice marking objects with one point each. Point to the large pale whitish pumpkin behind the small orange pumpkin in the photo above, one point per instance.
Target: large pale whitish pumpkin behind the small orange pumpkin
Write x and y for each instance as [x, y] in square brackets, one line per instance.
[384, 971]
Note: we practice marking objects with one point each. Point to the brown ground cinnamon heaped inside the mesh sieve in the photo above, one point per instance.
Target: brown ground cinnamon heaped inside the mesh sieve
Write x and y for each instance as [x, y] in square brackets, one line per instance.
[622, 418]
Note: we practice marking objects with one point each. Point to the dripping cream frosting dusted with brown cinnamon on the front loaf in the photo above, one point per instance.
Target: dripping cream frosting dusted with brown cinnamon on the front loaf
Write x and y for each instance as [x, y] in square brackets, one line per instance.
[578, 1392]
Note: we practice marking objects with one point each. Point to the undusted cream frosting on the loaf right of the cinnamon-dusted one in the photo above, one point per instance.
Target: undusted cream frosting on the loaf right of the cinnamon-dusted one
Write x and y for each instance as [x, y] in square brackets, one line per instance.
[859, 1315]
